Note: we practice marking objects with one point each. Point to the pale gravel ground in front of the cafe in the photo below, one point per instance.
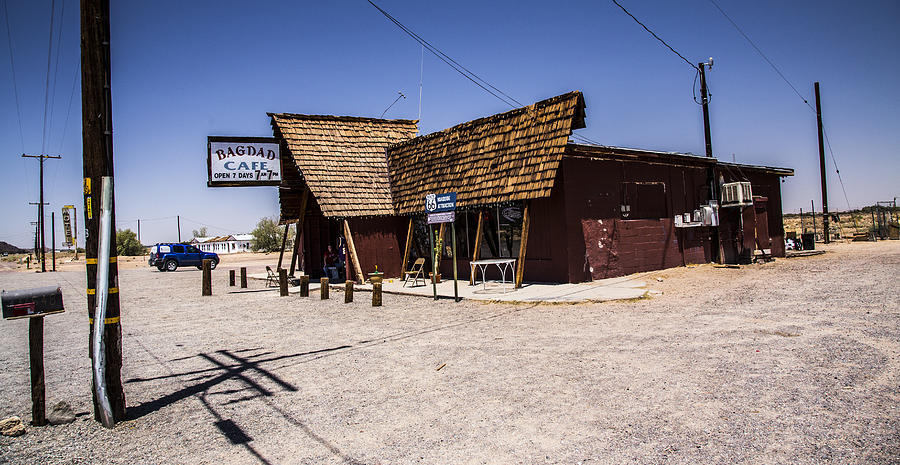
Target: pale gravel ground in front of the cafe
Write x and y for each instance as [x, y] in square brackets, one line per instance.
[796, 361]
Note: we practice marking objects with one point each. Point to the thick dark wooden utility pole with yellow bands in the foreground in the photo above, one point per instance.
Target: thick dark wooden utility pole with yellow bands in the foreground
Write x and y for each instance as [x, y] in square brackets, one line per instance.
[96, 103]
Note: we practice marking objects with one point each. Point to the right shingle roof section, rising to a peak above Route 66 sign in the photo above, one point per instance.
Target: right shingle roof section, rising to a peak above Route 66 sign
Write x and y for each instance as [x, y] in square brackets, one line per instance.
[501, 158]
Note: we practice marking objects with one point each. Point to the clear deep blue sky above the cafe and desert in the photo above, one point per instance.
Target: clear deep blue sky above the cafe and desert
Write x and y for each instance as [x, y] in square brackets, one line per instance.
[186, 70]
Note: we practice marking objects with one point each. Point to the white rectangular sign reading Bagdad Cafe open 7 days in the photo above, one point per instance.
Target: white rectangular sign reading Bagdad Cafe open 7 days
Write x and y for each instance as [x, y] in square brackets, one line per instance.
[243, 161]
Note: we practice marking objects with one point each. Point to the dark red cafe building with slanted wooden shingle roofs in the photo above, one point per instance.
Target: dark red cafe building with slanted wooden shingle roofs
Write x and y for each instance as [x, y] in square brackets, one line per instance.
[585, 212]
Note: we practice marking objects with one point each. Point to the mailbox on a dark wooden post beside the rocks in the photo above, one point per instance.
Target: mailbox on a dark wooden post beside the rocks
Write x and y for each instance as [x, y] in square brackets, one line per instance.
[34, 304]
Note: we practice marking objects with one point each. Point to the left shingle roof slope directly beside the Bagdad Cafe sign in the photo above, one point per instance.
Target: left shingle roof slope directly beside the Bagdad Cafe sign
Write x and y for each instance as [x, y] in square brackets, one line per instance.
[342, 159]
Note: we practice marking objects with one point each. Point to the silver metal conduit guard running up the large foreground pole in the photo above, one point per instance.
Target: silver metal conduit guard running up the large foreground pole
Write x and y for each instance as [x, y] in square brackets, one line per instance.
[99, 349]
